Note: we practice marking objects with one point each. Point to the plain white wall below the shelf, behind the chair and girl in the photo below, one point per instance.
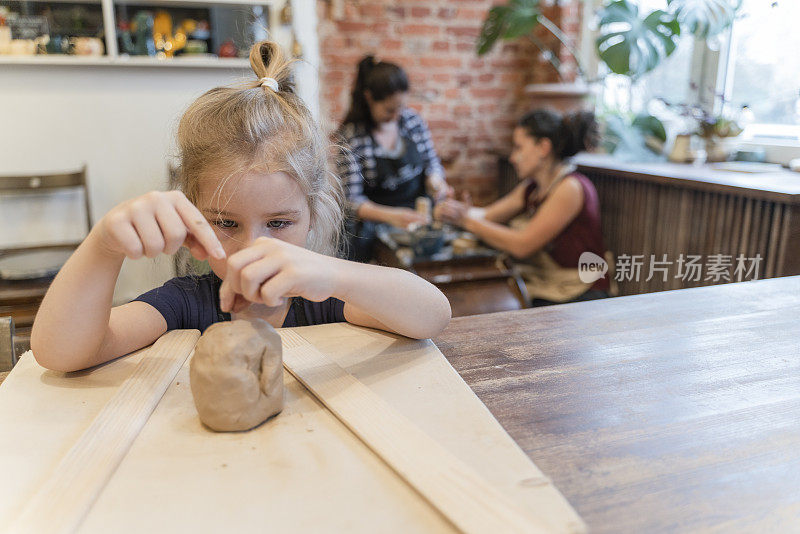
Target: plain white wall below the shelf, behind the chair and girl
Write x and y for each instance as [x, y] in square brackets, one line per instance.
[119, 121]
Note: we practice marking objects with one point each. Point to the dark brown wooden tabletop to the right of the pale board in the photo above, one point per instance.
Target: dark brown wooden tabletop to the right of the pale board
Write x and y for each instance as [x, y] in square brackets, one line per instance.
[668, 412]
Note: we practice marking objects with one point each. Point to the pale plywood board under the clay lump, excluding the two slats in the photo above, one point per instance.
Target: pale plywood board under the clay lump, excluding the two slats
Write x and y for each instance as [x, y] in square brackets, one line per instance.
[302, 471]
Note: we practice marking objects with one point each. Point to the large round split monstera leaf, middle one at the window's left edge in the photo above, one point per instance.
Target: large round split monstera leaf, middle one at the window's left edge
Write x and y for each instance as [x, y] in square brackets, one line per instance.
[631, 45]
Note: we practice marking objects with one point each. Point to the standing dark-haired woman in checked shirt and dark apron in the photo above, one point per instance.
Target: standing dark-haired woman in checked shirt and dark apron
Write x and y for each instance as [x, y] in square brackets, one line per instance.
[394, 160]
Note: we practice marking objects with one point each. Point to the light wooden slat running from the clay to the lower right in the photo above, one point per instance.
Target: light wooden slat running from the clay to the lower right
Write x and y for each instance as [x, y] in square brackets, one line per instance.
[455, 490]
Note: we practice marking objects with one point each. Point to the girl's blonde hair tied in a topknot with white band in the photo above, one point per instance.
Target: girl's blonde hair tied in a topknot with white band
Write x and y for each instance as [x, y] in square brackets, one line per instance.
[233, 130]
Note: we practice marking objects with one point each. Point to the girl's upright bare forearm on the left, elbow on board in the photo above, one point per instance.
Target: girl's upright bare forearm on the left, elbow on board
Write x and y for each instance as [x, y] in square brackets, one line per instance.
[72, 320]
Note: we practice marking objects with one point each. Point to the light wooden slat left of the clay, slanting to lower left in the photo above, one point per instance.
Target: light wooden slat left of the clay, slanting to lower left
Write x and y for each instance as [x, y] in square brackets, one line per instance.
[63, 500]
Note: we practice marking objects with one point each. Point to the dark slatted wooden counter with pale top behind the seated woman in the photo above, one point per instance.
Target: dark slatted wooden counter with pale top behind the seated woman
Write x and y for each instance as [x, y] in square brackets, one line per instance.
[673, 209]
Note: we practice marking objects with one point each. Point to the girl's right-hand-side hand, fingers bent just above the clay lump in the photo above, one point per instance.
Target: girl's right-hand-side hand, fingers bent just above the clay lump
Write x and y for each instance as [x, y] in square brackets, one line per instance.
[270, 270]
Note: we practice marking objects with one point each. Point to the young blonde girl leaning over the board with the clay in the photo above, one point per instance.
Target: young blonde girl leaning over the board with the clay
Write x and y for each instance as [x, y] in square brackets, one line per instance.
[260, 204]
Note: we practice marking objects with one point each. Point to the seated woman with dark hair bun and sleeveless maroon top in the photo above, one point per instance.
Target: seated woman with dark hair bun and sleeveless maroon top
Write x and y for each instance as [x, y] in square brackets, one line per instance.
[560, 208]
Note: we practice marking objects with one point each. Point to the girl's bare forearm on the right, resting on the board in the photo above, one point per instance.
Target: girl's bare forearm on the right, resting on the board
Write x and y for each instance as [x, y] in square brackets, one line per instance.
[402, 301]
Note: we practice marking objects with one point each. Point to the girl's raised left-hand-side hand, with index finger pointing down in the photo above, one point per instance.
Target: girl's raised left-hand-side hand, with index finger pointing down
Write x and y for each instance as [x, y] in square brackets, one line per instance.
[155, 223]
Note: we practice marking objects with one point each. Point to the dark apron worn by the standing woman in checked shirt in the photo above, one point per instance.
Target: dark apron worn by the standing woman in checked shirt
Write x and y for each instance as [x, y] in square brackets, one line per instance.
[398, 183]
